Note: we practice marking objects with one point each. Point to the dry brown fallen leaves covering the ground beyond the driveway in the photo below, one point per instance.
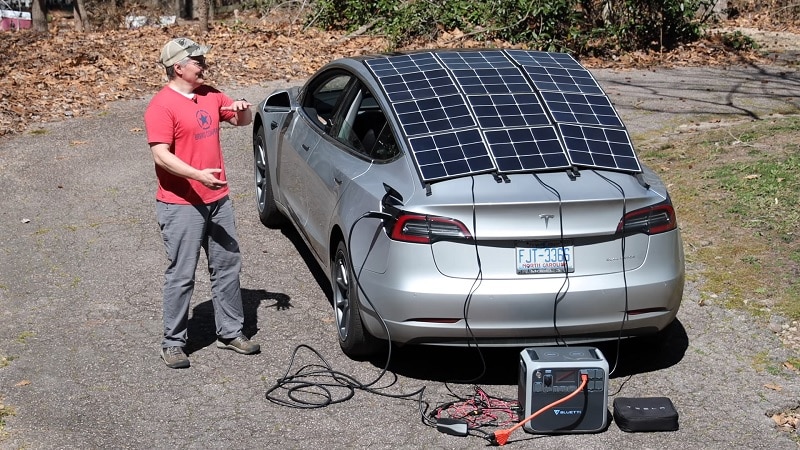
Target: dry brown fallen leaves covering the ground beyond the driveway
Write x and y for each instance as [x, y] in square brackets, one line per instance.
[70, 74]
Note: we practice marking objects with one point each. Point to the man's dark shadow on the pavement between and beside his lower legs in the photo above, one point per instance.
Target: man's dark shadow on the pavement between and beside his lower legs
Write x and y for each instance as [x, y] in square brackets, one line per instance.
[202, 329]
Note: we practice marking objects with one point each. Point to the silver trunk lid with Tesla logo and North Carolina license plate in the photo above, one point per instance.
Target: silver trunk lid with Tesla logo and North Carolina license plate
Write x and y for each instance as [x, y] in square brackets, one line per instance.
[533, 225]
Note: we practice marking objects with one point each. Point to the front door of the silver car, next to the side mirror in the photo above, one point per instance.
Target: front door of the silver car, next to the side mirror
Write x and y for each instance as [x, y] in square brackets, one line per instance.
[312, 121]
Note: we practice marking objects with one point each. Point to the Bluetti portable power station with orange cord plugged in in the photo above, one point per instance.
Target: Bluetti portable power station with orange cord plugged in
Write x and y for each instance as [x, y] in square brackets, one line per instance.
[548, 374]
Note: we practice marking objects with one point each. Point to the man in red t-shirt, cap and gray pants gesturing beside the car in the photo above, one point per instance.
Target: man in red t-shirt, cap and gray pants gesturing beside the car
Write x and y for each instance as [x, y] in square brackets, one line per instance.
[192, 204]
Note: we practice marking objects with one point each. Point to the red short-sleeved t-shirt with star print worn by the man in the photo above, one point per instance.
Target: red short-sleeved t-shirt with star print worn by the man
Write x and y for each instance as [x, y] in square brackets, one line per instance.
[191, 128]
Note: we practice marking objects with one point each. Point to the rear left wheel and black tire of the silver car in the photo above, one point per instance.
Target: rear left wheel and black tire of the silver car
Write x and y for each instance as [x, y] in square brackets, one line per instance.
[355, 340]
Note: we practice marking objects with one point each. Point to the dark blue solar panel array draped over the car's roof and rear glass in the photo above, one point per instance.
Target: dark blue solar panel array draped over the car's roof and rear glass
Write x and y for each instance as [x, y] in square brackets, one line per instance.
[505, 111]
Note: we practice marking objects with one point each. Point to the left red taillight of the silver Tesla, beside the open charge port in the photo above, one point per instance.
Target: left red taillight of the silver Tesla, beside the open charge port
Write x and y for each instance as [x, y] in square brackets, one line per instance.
[427, 229]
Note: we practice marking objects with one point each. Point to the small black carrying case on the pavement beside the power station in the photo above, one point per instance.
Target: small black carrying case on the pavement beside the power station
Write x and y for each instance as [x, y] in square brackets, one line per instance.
[645, 414]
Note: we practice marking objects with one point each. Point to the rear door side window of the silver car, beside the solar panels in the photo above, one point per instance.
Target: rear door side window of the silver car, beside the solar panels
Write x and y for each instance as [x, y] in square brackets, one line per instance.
[365, 129]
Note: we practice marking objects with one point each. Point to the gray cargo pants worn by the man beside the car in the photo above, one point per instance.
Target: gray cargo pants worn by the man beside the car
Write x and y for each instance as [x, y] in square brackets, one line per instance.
[185, 230]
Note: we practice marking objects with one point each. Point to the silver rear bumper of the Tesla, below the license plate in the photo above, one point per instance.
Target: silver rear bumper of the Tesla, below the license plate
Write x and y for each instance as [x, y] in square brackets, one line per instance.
[425, 307]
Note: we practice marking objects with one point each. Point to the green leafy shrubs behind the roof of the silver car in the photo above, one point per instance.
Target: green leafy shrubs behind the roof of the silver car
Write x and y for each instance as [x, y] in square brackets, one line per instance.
[578, 26]
